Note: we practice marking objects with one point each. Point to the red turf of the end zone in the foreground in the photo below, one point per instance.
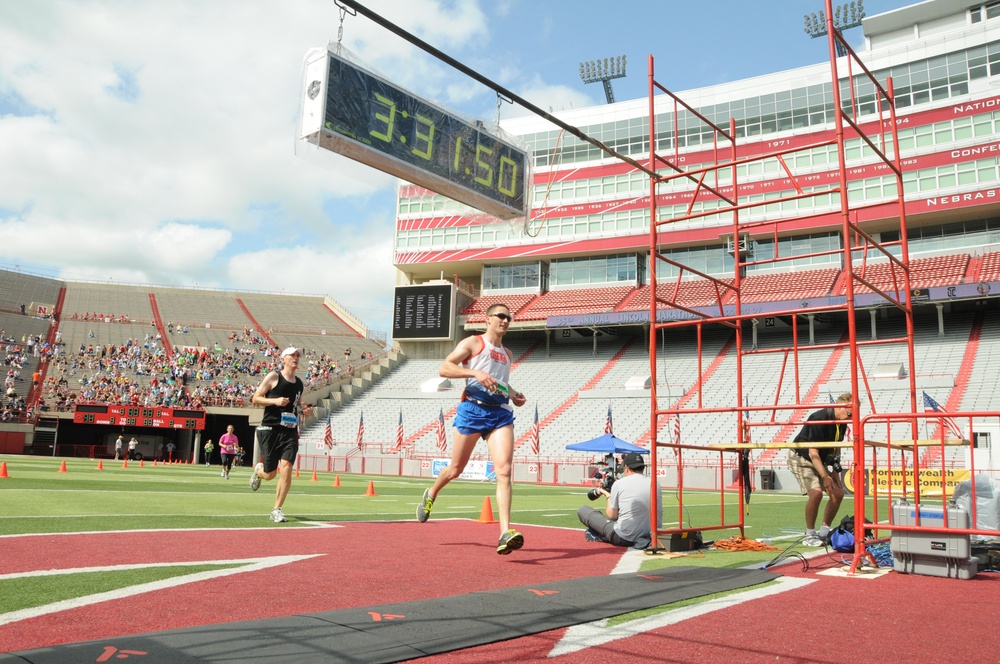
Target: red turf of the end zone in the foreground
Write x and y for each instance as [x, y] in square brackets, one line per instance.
[896, 617]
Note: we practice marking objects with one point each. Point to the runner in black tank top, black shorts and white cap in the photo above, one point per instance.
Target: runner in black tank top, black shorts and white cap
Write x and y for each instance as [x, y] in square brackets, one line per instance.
[280, 394]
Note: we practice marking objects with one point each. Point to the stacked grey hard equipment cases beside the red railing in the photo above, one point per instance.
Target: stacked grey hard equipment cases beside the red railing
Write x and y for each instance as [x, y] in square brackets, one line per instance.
[932, 554]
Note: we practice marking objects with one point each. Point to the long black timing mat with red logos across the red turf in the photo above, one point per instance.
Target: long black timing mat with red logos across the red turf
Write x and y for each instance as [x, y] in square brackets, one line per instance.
[394, 632]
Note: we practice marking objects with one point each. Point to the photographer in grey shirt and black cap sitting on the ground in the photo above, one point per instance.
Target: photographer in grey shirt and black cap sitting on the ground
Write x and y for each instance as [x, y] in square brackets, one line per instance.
[625, 521]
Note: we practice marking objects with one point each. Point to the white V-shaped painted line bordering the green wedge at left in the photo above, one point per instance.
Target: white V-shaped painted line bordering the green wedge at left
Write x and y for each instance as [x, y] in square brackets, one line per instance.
[250, 565]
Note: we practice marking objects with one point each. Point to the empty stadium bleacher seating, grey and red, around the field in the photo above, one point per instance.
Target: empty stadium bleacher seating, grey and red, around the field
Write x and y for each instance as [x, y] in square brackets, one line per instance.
[572, 385]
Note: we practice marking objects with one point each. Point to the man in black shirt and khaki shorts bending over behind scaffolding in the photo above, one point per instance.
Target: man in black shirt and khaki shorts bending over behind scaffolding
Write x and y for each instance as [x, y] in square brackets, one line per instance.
[810, 465]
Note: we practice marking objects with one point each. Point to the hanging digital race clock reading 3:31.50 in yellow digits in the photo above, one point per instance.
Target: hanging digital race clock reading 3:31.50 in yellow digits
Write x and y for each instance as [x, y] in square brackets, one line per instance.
[356, 113]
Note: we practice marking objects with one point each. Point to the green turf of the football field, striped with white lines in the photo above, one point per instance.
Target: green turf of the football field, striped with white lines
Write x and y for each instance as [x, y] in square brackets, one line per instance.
[37, 498]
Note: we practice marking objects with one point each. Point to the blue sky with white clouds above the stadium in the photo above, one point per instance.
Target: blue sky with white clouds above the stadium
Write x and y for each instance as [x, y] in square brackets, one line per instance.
[153, 142]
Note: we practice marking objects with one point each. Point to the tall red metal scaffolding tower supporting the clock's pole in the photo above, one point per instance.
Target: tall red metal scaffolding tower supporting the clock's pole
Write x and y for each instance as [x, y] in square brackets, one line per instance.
[718, 183]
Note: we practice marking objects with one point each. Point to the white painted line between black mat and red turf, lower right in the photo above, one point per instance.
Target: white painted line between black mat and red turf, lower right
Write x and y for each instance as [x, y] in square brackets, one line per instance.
[590, 635]
